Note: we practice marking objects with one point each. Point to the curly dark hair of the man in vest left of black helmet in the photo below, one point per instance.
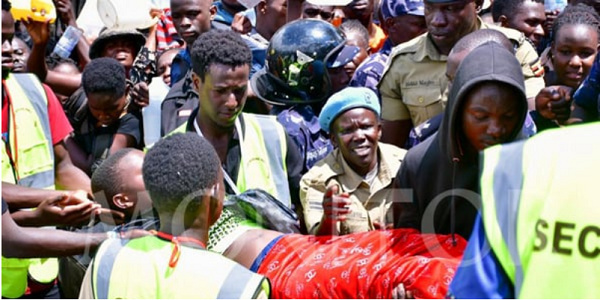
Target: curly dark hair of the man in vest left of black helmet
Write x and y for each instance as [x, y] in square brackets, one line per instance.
[219, 47]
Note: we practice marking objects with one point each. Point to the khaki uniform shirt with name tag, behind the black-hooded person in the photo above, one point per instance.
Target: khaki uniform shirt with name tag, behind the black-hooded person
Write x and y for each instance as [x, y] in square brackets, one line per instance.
[414, 82]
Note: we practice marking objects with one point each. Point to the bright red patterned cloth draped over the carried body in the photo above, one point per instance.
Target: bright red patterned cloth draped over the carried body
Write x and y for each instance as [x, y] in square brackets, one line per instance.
[362, 265]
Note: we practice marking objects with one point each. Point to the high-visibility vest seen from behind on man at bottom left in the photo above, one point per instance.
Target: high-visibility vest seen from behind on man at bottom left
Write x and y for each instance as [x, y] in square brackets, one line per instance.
[139, 269]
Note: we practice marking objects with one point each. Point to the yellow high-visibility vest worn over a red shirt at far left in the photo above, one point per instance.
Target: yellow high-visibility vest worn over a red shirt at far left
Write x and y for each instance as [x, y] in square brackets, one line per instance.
[35, 153]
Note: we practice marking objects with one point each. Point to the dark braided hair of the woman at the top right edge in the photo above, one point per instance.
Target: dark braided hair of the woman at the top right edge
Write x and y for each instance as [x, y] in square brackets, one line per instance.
[579, 14]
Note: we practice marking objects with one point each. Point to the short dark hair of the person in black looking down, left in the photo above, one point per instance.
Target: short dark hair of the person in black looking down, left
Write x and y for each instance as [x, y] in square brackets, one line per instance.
[104, 75]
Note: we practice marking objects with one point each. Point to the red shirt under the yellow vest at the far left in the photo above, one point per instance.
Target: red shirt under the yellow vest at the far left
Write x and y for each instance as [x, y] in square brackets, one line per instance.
[60, 127]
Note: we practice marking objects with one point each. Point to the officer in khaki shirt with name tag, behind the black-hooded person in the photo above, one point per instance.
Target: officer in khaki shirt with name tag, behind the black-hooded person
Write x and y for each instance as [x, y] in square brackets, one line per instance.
[414, 82]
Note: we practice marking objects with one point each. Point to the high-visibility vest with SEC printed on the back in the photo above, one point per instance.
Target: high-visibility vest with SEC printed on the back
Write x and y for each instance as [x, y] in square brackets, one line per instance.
[541, 212]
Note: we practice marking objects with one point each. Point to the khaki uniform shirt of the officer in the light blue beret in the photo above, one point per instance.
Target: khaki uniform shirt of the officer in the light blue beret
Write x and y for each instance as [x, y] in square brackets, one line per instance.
[368, 203]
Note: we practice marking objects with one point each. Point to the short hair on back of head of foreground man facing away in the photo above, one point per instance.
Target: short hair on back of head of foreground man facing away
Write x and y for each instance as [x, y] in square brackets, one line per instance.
[178, 167]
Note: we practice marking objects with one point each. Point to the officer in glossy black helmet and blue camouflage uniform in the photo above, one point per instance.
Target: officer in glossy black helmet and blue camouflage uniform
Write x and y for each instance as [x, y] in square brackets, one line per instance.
[305, 65]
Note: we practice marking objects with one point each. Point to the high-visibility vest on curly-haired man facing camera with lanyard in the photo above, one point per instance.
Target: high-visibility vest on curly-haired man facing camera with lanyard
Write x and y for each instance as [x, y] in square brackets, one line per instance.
[264, 148]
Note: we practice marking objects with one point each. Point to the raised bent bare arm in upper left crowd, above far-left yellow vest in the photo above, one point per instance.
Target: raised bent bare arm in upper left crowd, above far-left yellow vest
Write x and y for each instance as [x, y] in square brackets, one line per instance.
[60, 83]
